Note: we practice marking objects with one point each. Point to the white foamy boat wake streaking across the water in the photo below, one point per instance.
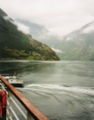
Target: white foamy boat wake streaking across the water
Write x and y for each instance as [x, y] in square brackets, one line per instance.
[84, 90]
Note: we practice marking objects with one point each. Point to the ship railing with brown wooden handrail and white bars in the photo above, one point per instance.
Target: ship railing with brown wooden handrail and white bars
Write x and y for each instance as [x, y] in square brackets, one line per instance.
[18, 106]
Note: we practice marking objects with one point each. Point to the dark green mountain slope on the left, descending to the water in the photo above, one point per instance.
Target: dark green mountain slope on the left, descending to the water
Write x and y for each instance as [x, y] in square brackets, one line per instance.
[17, 45]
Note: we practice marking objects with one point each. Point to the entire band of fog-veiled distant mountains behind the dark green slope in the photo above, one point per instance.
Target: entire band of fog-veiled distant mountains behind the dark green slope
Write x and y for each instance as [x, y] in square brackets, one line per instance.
[78, 45]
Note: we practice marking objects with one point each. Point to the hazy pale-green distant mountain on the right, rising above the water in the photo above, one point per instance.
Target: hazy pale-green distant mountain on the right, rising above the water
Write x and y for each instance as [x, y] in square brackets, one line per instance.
[79, 45]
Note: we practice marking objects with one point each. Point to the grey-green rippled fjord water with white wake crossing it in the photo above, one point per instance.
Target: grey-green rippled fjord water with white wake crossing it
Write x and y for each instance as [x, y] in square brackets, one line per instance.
[62, 90]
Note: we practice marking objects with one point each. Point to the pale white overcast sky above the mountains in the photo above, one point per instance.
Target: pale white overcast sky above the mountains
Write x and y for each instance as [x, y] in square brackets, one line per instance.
[58, 16]
